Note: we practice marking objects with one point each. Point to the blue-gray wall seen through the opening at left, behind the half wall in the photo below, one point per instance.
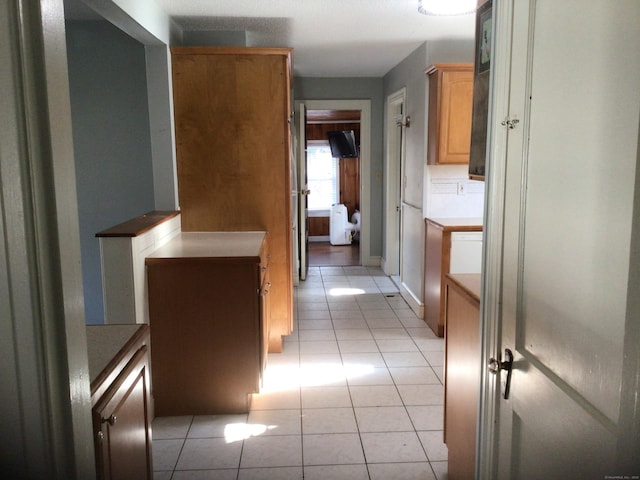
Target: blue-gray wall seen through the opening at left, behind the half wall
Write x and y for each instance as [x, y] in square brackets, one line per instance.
[112, 146]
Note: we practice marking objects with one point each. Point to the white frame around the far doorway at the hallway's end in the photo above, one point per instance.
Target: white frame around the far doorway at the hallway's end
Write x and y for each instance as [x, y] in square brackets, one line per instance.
[365, 165]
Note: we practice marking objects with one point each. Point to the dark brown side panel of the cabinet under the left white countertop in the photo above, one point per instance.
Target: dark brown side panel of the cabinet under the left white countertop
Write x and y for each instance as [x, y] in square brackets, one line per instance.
[205, 336]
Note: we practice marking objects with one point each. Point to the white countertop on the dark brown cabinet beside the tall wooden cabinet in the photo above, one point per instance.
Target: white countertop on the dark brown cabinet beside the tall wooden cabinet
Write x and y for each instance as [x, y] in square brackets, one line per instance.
[212, 245]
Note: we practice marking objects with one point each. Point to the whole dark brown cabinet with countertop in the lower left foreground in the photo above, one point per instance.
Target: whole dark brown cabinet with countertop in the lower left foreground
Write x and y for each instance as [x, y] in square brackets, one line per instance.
[120, 397]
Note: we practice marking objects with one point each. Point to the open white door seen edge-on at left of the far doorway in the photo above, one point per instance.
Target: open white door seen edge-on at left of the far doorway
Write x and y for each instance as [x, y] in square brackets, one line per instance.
[303, 228]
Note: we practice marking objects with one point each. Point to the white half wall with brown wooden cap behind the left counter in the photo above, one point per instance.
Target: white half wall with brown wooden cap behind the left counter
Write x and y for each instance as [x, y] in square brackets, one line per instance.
[123, 249]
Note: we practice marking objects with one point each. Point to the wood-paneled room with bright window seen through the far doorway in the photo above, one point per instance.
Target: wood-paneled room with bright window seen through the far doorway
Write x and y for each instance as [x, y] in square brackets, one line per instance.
[334, 184]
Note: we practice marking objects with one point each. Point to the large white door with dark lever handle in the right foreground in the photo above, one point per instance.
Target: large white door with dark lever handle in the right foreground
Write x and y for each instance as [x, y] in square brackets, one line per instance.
[559, 278]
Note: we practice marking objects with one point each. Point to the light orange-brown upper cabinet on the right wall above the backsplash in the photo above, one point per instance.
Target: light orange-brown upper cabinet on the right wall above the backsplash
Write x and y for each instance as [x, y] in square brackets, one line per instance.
[450, 108]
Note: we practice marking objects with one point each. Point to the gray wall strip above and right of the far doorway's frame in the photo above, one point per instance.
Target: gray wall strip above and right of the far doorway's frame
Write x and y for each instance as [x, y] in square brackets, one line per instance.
[311, 88]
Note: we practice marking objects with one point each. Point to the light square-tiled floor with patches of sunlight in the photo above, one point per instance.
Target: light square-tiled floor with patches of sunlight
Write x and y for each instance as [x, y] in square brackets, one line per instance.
[356, 394]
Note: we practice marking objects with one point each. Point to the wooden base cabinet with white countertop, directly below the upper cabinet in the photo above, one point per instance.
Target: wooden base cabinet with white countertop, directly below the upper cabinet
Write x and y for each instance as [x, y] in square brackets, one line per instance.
[438, 263]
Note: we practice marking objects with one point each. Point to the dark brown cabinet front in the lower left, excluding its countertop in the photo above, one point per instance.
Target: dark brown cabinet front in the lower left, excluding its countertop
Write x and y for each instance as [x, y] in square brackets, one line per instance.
[122, 424]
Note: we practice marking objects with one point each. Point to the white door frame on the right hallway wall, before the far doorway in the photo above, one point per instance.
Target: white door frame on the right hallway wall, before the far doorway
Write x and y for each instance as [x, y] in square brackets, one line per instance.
[392, 260]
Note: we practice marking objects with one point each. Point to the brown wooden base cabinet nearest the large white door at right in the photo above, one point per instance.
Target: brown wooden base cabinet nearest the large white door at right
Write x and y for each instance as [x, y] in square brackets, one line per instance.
[462, 373]
